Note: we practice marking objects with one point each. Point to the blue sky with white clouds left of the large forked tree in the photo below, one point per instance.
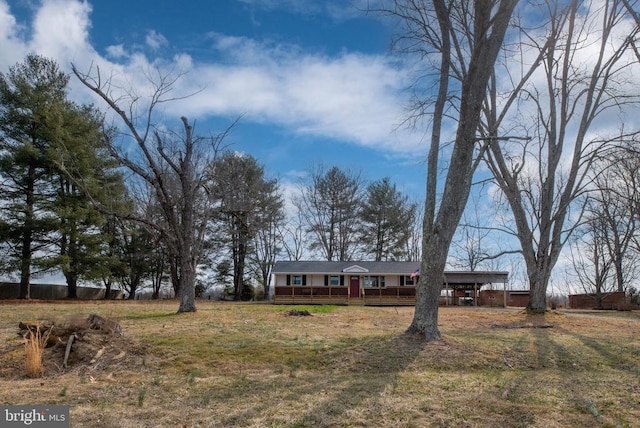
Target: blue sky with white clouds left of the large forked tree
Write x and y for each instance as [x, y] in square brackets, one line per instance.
[313, 80]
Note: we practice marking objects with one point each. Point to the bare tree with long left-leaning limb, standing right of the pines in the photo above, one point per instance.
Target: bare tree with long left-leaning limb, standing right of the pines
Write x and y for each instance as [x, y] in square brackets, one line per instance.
[173, 164]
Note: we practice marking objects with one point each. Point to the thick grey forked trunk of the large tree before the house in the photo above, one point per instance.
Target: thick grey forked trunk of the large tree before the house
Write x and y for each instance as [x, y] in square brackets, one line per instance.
[488, 34]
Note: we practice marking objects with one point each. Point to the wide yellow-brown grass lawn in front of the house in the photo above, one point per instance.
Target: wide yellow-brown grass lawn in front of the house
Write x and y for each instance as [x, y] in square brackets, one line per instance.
[253, 365]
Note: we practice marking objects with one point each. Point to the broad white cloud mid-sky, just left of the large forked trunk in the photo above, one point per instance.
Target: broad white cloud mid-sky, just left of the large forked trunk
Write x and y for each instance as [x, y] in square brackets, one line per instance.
[353, 97]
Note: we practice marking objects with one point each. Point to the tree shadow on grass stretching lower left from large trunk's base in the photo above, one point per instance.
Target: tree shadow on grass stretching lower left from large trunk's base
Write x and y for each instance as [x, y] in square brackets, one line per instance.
[322, 389]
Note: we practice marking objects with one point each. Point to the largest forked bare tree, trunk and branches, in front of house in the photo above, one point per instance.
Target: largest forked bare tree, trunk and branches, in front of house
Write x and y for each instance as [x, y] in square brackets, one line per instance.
[463, 40]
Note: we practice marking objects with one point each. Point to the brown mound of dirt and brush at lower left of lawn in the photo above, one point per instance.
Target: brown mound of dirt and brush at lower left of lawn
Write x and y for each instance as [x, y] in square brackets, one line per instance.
[74, 344]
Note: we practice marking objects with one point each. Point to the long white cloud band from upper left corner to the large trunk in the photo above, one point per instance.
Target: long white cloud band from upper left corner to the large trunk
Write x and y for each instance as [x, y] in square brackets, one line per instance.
[352, 97]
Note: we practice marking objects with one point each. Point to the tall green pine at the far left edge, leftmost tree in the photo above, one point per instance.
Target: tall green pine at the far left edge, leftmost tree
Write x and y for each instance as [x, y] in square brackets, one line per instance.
[32, 102]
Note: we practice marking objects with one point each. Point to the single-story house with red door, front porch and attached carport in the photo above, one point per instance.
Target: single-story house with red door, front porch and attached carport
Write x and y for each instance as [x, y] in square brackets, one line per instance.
[370, 283]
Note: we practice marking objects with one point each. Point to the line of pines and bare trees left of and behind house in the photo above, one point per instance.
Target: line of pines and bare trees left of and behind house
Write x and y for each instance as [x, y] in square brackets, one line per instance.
[137, 204]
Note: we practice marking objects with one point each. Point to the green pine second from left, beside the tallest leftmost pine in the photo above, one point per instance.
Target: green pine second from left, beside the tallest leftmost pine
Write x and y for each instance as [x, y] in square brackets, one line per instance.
[83, 167]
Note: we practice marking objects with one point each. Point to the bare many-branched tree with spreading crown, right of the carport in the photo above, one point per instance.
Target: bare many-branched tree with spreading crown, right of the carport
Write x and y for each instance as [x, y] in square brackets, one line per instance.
[585, 67]
